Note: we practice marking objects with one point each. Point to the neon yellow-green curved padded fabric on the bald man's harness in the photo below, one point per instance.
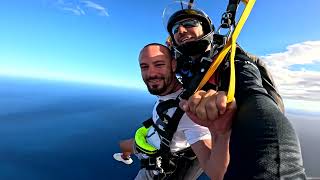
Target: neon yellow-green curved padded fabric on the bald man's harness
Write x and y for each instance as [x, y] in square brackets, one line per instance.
[141, 142]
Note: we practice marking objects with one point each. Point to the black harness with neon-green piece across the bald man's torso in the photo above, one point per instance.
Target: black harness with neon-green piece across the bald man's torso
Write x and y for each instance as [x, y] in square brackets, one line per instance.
[166, 164]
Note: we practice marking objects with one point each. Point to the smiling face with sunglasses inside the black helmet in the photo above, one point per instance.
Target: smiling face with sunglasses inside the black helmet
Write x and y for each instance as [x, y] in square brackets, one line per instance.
[184, 34]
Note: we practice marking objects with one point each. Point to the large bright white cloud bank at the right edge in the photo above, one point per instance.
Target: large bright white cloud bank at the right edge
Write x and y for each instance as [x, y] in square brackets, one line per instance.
[301, 83]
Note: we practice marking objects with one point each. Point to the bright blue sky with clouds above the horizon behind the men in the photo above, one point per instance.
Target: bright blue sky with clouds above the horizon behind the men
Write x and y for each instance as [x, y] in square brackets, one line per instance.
[98, 41]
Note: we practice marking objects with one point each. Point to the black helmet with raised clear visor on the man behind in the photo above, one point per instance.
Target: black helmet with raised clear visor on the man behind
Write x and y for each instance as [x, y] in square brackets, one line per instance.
[185, 11]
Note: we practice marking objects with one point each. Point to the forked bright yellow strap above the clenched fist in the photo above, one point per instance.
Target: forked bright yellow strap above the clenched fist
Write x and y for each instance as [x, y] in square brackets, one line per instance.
[231, 44]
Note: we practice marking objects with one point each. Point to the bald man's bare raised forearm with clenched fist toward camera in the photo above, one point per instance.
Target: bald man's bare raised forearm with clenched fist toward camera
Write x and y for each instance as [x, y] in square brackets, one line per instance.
[211, 110]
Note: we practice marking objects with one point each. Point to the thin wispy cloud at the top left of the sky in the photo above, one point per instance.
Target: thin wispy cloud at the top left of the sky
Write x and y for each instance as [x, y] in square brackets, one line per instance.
[81, 7]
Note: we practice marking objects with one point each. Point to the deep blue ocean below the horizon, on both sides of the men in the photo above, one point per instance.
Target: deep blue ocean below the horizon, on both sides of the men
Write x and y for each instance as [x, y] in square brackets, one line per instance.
[54, 130]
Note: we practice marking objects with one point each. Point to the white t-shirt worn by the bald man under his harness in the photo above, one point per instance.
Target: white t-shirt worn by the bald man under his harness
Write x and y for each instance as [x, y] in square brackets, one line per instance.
[187, 132]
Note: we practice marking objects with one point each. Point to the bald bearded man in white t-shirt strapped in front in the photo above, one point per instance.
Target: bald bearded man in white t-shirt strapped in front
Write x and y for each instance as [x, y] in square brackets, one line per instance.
[158, 72]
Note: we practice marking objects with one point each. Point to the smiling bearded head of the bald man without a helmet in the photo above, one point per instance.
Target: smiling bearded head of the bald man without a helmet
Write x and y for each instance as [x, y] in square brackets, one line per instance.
[157, 69]
